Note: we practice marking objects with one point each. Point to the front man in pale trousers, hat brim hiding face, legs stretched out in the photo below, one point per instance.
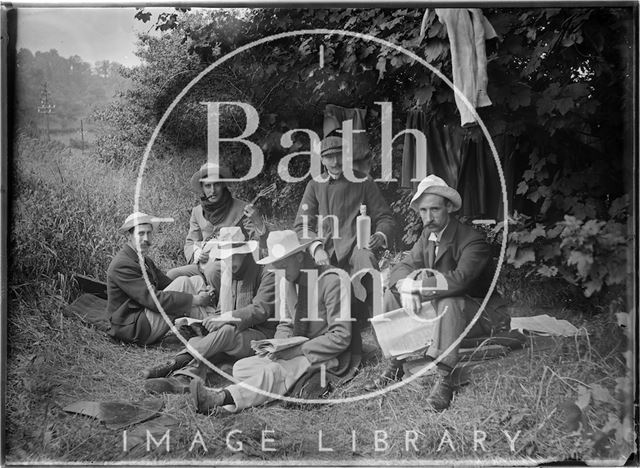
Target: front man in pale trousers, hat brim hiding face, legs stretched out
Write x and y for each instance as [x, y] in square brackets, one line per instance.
[328, 336]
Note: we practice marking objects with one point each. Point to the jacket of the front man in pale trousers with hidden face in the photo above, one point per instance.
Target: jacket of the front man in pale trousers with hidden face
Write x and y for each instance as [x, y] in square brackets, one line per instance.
[328, 336]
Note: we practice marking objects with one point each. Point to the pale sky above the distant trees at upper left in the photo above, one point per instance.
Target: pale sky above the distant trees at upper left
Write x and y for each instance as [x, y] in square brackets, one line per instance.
[92, 33]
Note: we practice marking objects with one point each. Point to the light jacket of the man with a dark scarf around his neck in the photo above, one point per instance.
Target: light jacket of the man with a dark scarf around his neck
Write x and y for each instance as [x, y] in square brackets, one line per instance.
[200, 229]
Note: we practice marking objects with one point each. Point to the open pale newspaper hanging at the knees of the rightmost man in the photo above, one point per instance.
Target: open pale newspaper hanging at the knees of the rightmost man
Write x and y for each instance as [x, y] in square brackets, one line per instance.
[400, 333]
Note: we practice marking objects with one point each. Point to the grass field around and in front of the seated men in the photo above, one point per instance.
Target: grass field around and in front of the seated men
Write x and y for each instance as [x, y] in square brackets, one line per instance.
[64, 213]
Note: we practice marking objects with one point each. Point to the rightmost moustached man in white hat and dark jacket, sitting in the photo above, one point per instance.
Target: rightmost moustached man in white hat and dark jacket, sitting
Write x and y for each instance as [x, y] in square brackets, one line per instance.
[463, 258]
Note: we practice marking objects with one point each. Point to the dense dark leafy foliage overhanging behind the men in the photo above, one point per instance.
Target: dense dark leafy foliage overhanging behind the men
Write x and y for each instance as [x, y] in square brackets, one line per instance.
[559, 80]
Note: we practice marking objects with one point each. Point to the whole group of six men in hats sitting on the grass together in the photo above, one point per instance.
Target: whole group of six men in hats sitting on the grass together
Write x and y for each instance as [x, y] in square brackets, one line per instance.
[230, 283]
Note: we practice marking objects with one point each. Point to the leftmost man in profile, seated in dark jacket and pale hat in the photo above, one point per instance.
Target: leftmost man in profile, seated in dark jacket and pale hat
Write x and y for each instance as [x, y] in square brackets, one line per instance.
[134, 315]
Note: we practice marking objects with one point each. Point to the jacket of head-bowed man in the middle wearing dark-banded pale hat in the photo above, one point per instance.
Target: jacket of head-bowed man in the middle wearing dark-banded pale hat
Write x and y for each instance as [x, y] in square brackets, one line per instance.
[258, 283]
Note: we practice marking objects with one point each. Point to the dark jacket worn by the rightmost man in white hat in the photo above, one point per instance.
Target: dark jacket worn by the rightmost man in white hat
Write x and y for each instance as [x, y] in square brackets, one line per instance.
[464, 259]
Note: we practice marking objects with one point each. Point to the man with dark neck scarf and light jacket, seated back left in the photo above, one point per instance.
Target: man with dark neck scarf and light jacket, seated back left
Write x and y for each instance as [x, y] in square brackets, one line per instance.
[217, 209]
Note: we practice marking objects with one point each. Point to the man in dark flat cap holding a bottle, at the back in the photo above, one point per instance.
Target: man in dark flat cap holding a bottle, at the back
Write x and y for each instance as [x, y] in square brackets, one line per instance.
[336, 201]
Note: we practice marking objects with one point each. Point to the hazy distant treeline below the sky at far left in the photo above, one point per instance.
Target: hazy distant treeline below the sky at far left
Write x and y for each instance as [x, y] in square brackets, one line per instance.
[74, 87]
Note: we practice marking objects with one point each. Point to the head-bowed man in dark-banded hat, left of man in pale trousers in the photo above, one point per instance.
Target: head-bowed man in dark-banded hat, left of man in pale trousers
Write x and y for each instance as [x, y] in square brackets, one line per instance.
[251, 304]
